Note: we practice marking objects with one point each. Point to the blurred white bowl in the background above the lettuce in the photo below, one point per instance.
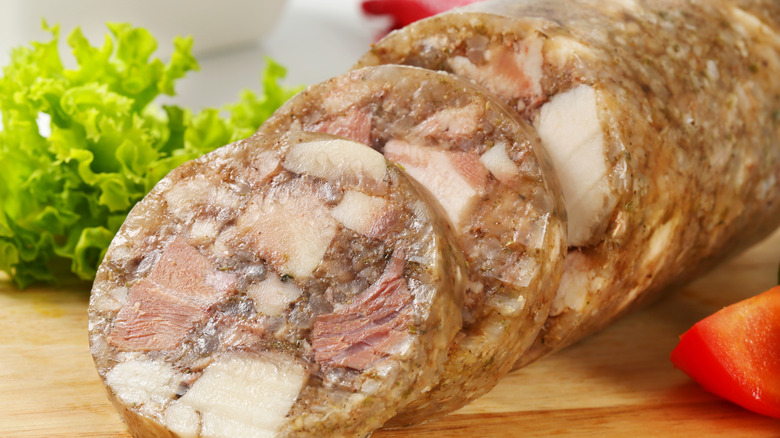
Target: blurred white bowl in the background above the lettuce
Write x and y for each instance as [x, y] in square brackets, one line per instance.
[214, 24]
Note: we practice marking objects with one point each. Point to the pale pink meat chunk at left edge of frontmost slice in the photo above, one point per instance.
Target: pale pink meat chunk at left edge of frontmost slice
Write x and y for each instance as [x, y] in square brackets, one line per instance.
[163, 307]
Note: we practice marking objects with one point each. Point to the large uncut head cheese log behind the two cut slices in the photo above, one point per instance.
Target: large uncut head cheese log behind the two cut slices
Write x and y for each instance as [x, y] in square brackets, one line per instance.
[661, 118]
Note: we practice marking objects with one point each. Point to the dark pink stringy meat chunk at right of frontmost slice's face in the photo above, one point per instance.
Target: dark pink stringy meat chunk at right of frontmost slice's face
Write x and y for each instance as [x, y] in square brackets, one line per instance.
[370, 328]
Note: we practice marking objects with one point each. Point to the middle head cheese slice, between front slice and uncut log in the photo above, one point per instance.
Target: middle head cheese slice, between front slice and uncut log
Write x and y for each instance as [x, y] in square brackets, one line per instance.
[486, 171]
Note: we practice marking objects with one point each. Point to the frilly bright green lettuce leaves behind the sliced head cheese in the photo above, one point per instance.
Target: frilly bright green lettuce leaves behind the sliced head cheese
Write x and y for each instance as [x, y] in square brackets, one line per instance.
[80, 146]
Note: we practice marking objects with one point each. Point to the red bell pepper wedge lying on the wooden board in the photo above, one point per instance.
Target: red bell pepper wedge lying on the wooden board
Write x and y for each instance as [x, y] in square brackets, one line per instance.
[735, 353]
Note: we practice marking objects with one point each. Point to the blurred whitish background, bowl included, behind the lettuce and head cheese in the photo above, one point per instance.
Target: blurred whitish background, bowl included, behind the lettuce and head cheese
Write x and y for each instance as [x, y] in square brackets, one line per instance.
[314, 39]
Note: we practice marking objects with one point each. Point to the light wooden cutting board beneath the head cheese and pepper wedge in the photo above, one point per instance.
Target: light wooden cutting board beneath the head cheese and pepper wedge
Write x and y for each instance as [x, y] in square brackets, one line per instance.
[617, 383]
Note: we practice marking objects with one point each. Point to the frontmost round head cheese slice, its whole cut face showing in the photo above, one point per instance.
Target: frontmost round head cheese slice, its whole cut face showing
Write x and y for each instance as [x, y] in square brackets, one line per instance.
[295, 286]
